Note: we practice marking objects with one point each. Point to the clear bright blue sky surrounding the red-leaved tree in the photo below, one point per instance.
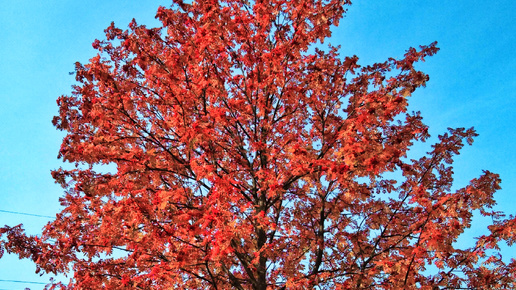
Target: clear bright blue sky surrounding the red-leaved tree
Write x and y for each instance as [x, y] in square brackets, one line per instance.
[472, 83]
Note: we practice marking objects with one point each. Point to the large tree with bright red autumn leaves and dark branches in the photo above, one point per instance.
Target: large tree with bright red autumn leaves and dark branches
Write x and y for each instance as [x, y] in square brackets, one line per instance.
[247, 159]
